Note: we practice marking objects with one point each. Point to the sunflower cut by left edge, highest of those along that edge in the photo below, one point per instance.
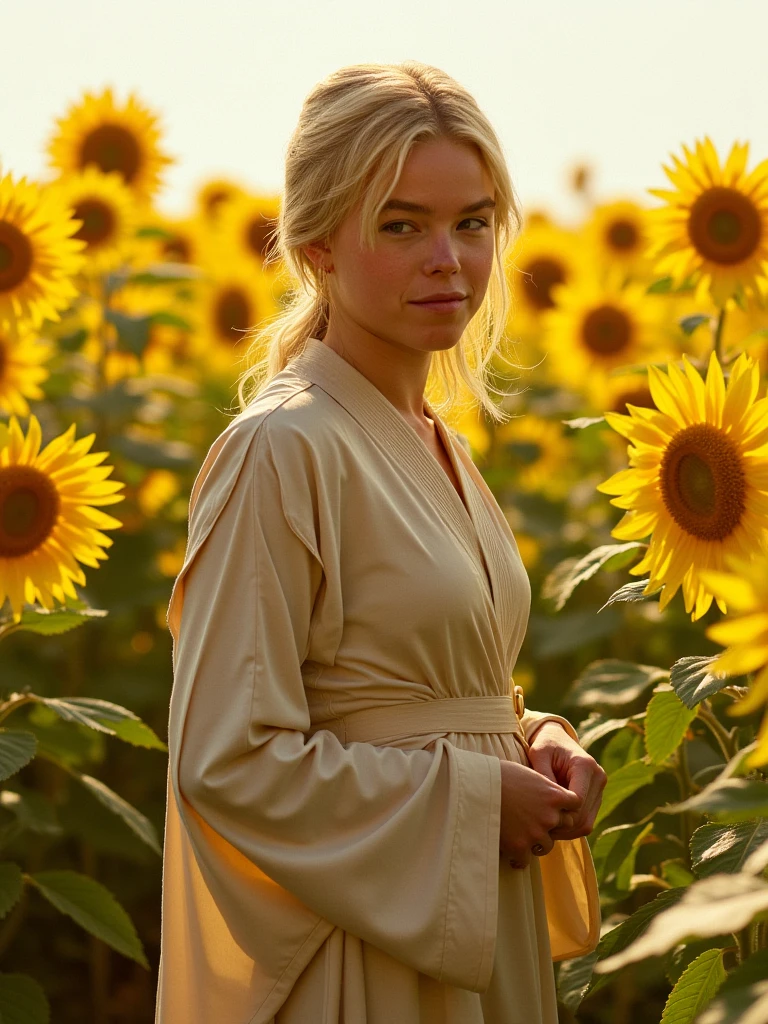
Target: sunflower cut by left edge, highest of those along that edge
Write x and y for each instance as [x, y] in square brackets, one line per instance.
[38, 257]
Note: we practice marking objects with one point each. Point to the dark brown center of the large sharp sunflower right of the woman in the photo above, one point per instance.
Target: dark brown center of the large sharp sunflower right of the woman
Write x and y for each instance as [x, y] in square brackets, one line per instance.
[703, 483]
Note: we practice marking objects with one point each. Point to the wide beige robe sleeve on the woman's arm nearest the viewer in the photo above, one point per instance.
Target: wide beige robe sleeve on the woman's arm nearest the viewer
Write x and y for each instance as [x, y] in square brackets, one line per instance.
[399, 847]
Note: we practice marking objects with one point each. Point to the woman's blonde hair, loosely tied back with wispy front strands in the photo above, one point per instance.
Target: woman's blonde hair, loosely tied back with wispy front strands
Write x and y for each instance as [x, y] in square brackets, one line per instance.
[352, 142]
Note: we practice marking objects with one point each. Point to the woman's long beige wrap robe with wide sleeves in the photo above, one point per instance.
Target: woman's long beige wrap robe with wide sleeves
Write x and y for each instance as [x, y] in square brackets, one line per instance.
[310, 876]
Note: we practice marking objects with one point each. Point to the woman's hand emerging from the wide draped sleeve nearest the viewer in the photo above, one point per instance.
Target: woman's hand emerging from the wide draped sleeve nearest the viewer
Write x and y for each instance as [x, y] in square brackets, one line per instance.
[533, 808]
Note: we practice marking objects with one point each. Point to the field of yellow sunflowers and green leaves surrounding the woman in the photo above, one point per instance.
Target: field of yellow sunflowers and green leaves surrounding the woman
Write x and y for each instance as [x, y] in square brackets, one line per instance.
[641, 338]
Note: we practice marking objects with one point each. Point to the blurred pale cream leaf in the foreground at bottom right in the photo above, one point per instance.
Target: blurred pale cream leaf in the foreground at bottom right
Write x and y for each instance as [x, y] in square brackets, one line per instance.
[718, 906]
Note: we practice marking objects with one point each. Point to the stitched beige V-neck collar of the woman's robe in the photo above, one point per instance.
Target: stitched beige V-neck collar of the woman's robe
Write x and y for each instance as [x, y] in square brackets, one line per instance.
[378, 416]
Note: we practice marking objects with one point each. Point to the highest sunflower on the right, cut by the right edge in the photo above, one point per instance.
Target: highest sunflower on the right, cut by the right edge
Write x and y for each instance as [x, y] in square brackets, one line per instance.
[714, 229]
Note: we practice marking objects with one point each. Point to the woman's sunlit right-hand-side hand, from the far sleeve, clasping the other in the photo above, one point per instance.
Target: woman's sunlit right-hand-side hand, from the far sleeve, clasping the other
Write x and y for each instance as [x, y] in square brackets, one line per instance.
[559, 757]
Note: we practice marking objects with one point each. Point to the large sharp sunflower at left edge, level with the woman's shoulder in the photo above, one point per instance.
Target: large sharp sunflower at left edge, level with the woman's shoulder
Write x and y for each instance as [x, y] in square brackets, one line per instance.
[49, 523]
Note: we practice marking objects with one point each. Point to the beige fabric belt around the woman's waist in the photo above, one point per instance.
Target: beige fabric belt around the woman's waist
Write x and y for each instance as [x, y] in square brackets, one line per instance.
[387, 723]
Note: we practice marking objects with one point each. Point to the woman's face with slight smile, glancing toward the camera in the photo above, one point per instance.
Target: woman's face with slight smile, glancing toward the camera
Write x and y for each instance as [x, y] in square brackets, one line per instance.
[449, 248]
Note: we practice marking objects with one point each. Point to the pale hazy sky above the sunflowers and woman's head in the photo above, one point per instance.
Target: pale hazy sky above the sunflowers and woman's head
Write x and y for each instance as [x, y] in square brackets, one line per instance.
[619, 84]
